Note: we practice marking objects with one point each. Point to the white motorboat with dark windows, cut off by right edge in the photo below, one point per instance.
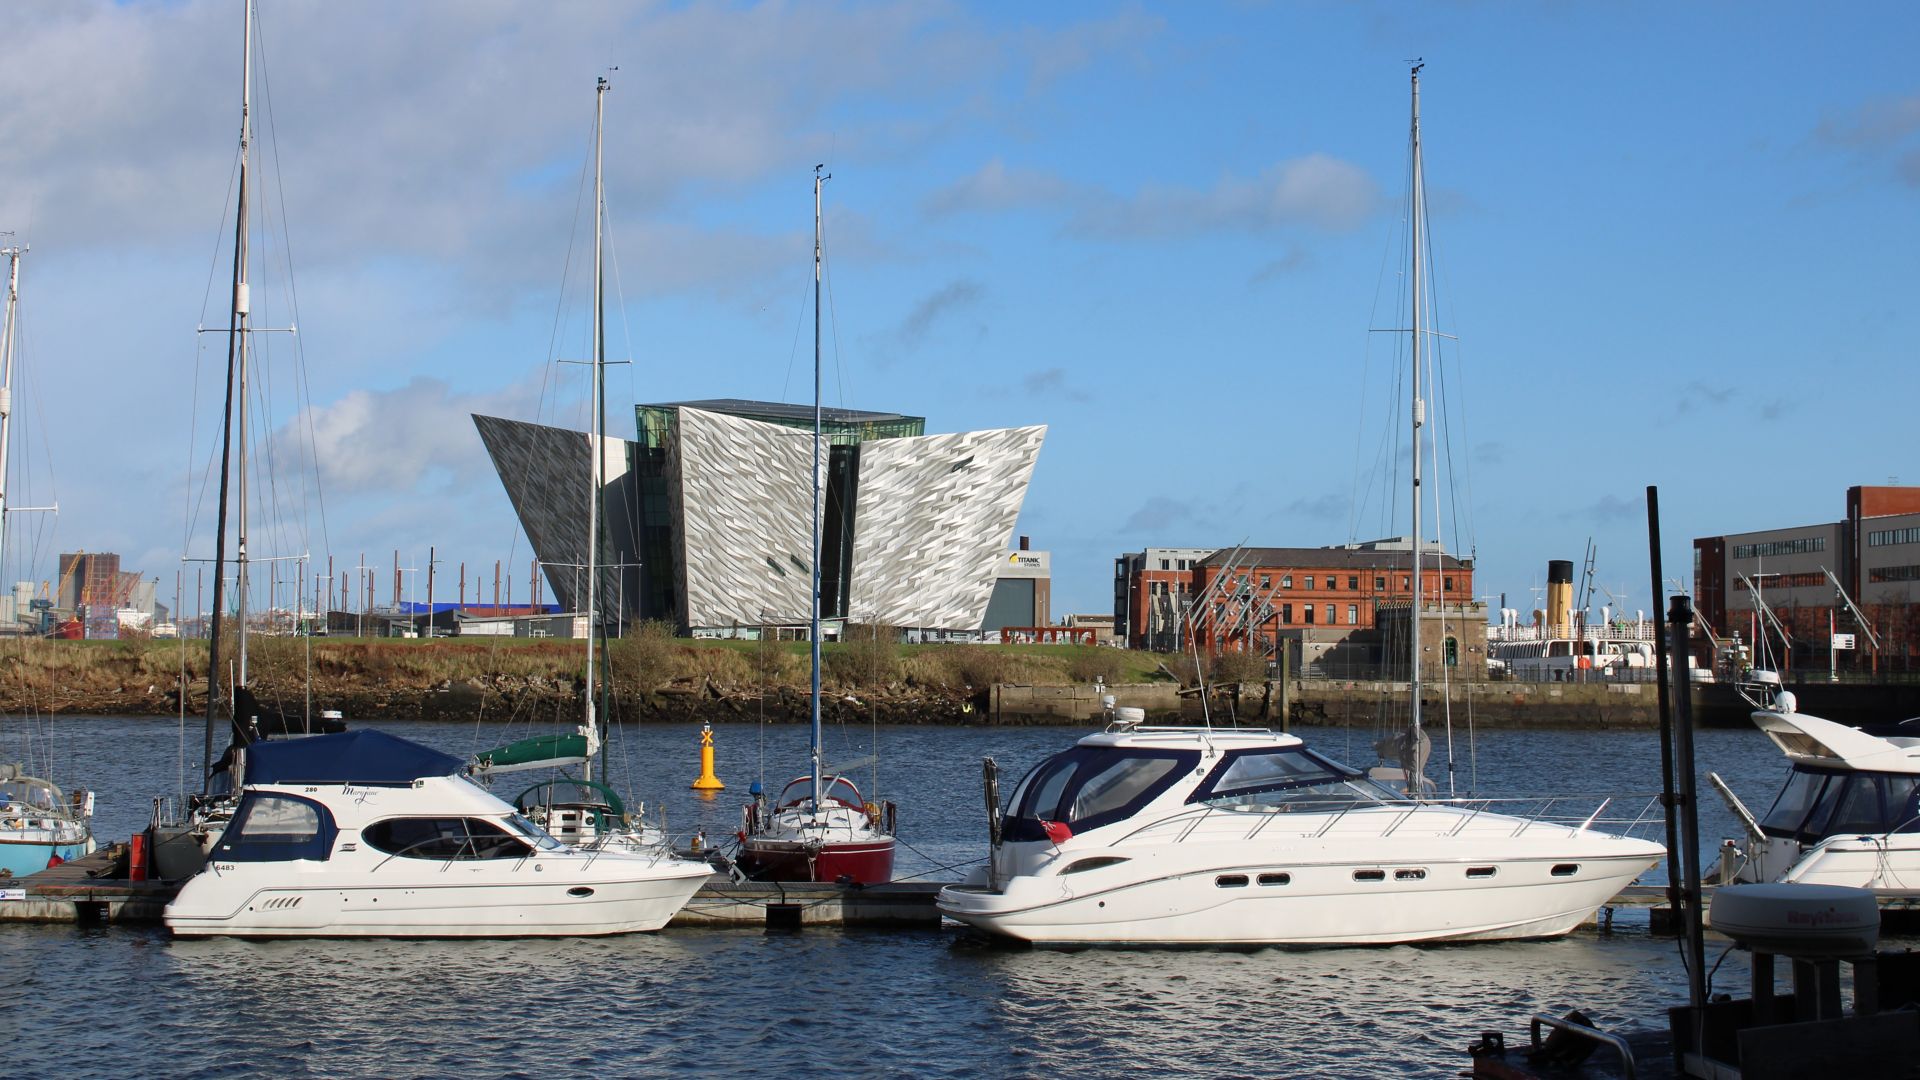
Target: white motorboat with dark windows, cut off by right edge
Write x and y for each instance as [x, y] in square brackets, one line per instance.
[1848, 816]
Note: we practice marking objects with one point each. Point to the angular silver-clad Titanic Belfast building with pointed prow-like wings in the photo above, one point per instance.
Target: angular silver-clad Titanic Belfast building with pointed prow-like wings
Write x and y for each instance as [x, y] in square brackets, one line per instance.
[708, 526]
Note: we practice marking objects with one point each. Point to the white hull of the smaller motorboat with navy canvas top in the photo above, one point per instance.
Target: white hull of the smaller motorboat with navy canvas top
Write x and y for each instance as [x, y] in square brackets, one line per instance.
[418, 906]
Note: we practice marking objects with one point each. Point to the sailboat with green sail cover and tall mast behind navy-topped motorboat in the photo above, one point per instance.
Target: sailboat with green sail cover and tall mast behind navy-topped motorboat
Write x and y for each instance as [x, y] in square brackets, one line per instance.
[581, 810]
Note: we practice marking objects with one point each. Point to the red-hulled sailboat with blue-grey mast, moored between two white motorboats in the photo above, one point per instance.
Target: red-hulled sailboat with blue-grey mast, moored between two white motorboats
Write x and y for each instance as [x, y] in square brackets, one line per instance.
[819, 829]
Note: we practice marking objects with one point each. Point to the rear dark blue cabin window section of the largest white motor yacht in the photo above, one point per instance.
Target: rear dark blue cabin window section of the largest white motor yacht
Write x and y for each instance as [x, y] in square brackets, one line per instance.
[1090, 787]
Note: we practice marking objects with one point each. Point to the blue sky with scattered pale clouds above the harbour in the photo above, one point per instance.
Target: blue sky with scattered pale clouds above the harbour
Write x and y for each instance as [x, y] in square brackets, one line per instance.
[1673, 247]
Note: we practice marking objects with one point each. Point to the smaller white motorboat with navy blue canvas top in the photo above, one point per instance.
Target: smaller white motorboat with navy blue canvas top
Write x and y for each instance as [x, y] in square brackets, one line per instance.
[366, 835]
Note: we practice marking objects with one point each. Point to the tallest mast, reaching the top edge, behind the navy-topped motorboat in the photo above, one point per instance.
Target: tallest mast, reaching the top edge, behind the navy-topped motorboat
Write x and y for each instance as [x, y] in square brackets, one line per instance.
[237, 328]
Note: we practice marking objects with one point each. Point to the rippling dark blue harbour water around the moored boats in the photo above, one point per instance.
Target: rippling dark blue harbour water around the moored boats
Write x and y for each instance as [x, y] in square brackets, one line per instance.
[742, 1002]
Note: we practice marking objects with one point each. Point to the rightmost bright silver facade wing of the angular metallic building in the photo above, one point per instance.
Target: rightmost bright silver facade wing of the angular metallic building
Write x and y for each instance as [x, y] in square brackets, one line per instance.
[932, 522]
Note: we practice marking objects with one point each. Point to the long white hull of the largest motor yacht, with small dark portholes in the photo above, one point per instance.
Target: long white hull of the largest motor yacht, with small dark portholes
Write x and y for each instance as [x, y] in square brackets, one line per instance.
[1293, 904]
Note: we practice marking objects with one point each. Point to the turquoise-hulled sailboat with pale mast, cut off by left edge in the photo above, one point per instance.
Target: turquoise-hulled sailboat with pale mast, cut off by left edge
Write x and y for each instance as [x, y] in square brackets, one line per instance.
[41, 825]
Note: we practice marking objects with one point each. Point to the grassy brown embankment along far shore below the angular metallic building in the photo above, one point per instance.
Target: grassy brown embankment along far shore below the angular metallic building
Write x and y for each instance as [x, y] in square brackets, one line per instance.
[654, 675]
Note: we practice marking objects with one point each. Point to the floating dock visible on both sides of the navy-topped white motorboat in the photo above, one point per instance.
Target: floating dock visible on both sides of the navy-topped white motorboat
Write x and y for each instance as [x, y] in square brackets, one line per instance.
[97, 893]
